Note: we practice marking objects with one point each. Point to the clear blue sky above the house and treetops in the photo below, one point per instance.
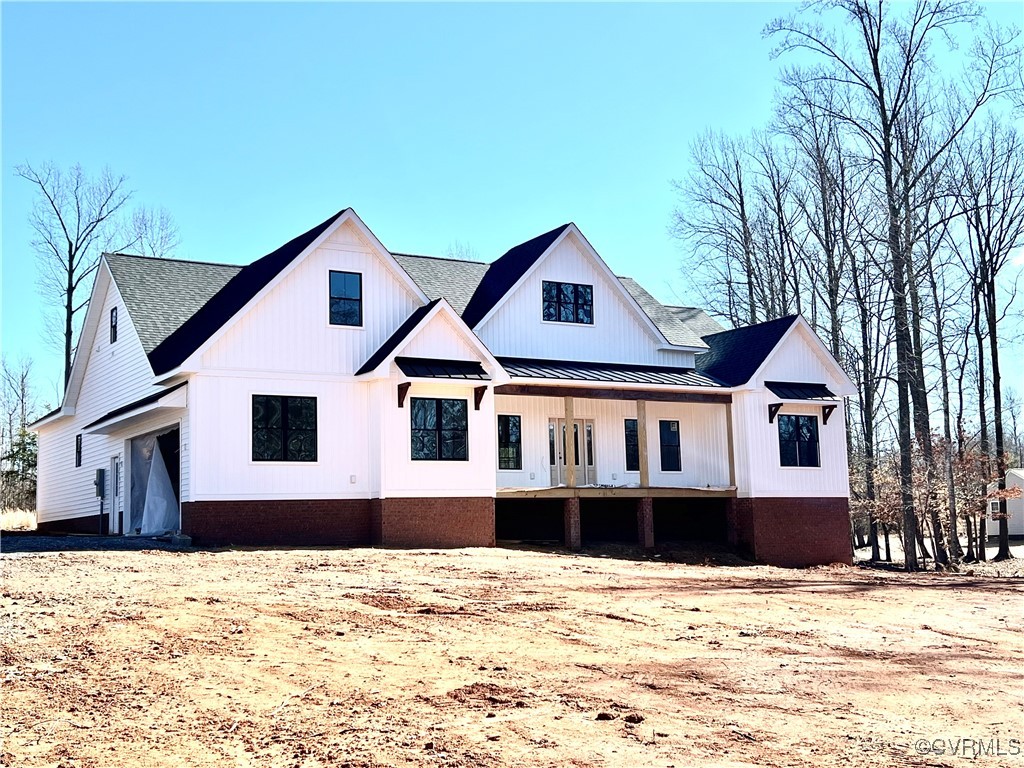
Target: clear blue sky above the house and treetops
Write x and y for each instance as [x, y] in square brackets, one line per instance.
[484, 124]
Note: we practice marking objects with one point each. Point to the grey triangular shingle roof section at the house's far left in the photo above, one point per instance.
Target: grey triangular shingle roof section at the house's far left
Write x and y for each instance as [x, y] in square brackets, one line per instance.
[162, 294]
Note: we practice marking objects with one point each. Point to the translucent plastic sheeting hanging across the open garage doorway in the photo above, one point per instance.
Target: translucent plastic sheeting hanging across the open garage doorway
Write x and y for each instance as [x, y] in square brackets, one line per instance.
[154, 499]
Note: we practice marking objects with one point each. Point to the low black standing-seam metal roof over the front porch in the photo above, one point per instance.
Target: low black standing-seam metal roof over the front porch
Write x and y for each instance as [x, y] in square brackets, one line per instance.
[621, 373]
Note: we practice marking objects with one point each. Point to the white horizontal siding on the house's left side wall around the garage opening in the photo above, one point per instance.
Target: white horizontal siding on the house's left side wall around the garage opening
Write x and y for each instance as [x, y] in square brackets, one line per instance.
[116, 375]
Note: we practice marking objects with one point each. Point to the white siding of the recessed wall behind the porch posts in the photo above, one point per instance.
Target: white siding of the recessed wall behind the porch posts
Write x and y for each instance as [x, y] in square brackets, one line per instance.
[704, 443]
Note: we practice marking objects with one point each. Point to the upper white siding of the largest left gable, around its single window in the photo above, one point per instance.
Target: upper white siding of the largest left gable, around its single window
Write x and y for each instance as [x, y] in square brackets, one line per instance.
[288, 331]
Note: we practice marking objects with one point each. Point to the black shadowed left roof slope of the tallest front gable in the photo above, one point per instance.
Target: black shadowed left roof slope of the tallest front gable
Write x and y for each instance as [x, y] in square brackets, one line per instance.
[174, 351]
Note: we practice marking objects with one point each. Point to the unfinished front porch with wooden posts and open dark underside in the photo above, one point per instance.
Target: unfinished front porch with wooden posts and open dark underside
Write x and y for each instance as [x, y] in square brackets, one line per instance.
[634, 465]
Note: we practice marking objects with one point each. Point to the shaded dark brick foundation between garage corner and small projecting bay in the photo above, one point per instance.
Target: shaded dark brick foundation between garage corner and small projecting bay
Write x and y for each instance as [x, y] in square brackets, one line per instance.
[305, 523]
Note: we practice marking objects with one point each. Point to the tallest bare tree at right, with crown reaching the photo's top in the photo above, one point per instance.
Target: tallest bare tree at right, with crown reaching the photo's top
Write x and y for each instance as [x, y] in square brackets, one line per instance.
[879, 60]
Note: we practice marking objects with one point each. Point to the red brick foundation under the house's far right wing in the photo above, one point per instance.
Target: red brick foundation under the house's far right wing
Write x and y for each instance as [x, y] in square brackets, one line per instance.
[792, 533]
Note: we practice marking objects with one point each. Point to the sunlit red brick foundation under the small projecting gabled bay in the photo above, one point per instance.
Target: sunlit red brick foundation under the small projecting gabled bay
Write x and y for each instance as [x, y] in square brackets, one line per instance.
[449, 522]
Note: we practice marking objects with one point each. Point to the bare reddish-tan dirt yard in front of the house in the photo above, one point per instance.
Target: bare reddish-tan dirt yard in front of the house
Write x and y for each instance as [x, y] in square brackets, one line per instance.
[500, 658]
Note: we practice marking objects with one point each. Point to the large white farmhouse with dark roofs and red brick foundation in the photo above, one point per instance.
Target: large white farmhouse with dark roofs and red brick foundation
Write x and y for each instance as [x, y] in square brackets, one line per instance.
[335, 393]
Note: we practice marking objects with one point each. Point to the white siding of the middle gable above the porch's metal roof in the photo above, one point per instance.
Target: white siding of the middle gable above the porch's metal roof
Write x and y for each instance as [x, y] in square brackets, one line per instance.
[618, 335]
